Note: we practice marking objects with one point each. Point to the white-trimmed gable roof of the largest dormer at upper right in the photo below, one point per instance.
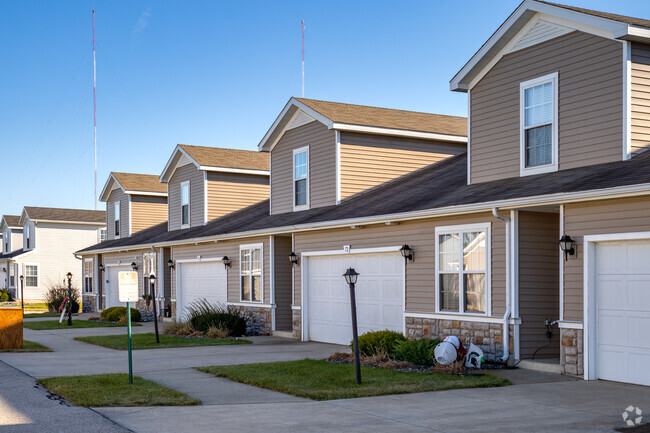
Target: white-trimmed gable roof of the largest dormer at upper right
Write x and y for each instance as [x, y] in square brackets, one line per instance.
[603, 24]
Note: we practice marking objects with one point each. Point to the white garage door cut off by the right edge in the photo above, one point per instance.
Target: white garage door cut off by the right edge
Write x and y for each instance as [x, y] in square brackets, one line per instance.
[623, 311]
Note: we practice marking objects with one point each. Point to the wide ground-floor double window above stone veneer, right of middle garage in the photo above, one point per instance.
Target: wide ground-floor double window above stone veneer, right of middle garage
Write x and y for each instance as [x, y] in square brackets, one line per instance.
[462, 269]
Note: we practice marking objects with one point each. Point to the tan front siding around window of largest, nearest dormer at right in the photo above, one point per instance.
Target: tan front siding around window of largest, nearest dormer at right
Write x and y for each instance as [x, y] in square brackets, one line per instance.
[590, 107]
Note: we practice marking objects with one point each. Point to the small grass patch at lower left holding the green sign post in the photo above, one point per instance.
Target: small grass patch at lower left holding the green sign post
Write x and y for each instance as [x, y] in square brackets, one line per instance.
[103, 390]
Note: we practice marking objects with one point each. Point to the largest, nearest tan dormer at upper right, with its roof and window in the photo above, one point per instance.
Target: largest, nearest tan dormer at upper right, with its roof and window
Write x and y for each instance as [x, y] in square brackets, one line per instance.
[556, 87]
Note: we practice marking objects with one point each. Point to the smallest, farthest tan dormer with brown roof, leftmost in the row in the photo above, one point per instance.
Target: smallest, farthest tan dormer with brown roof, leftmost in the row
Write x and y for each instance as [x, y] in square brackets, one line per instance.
[134, 202]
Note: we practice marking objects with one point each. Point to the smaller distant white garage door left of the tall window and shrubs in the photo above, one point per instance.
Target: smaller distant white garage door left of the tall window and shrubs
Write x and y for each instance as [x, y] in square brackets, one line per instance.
[204, 280]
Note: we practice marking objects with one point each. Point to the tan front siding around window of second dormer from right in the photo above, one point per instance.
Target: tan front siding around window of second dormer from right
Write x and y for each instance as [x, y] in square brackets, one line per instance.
[322, 167]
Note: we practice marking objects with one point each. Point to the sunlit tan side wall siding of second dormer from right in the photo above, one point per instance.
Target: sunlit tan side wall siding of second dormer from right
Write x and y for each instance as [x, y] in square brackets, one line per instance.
[370, 160]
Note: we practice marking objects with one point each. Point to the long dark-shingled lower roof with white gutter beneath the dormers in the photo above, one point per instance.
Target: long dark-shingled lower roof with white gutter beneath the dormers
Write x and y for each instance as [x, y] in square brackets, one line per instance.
[437, 190]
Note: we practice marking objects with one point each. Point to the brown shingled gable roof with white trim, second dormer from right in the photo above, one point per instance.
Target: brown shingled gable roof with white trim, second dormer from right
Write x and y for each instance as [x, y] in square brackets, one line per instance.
[374, 120]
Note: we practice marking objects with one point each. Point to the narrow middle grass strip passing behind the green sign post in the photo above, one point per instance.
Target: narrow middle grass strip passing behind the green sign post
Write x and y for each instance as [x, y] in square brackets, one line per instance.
[148, 341]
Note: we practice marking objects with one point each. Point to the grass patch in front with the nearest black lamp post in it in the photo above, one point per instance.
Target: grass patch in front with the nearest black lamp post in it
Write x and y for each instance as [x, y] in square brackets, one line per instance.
[322, 380]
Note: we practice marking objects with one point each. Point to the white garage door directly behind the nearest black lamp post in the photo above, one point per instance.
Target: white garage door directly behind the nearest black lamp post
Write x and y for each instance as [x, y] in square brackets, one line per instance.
[379, 295]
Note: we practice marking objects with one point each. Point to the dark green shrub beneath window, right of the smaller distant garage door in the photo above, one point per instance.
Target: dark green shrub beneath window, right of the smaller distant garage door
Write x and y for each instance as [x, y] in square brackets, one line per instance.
[202, 315]
